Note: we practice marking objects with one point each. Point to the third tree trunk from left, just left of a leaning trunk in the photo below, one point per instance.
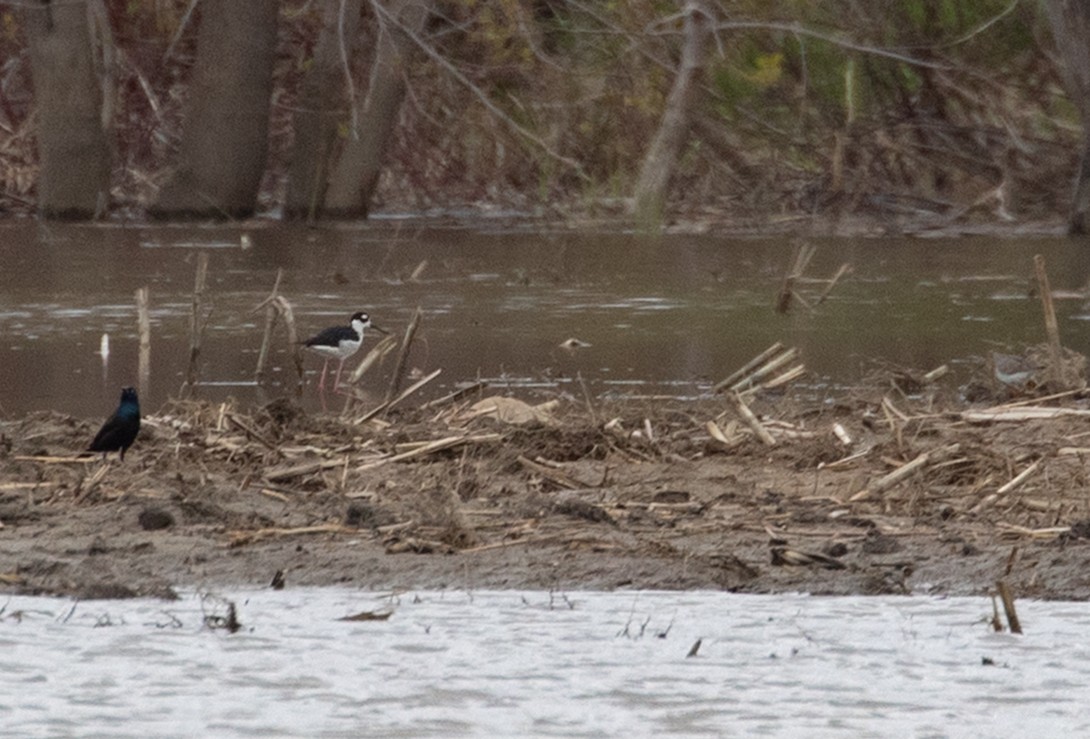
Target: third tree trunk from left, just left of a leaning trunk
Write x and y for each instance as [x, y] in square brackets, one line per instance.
[322, 110]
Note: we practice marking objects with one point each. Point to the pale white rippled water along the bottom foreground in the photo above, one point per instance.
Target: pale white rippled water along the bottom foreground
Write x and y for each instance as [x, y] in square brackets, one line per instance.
[506, 664]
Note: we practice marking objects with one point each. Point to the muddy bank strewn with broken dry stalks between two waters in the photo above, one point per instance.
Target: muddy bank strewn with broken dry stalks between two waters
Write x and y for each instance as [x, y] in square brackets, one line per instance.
[894, 489]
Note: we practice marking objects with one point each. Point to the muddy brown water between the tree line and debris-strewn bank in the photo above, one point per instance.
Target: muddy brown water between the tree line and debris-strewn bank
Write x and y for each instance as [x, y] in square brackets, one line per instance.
[667, 316]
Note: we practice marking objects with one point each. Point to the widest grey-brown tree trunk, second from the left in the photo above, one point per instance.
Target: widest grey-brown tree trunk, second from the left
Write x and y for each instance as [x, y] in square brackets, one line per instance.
[224, 149]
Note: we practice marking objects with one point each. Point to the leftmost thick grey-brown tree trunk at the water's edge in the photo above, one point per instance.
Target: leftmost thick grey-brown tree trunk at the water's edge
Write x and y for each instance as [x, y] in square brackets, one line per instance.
[75, 177]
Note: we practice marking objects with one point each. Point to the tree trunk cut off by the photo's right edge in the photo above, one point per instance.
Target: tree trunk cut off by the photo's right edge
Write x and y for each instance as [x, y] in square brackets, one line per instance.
[1071, 26]
